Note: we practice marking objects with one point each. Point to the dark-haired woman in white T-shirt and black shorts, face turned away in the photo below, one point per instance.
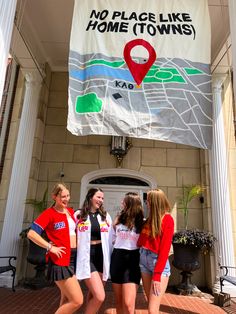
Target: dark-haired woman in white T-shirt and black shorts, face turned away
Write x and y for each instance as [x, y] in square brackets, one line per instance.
[125, 271]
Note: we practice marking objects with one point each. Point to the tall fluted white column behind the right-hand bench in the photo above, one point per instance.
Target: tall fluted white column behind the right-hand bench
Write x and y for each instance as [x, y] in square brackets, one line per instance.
[220, 198]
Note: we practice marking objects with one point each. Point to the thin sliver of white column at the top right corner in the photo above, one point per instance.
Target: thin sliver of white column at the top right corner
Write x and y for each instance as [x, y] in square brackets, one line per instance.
[232, 14]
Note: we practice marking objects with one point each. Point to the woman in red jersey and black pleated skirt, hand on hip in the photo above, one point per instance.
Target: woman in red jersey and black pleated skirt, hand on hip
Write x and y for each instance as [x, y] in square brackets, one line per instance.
[59, 224]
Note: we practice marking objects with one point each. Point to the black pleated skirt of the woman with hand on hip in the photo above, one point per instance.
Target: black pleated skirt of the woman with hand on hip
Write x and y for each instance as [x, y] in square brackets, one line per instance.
[57, 272]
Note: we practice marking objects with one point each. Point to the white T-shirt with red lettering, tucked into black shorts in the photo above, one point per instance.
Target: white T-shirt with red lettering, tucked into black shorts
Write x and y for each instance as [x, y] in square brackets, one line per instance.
[125, 238]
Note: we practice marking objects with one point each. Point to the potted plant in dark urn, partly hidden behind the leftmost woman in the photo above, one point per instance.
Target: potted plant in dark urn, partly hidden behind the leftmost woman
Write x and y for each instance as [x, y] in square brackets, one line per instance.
[36, 254]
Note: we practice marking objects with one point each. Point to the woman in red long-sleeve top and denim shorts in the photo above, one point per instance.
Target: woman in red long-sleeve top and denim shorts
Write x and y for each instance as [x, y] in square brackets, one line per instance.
[155, 242]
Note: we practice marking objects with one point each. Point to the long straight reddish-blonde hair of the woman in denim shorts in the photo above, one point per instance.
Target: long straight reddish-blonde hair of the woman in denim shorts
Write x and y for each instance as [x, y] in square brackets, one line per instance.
[158, 205]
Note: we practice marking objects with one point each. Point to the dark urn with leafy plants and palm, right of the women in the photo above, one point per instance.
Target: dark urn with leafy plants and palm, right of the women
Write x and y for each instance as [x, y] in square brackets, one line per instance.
[189, 243]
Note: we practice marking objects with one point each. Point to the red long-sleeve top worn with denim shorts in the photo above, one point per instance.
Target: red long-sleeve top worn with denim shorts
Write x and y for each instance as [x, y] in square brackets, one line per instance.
[160, 245]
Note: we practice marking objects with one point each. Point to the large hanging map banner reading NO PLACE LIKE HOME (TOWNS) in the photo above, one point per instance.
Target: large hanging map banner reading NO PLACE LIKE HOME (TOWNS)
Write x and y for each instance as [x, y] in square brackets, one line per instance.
[141, 68]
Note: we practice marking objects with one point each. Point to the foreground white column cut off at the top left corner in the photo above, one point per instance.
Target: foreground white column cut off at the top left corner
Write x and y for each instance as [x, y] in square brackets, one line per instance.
[7, 14]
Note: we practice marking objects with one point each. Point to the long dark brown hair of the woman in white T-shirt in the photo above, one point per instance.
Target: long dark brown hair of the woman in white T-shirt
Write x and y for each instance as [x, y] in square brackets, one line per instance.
[132, 213]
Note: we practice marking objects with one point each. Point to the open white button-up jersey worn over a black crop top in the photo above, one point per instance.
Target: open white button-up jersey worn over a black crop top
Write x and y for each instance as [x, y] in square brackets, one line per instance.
[83, 229]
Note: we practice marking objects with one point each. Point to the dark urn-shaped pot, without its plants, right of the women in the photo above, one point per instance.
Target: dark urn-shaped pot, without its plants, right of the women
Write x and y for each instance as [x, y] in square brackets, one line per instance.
[186, 259]
